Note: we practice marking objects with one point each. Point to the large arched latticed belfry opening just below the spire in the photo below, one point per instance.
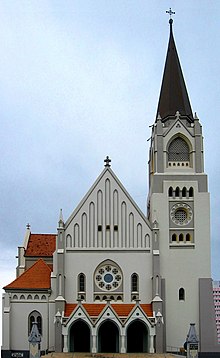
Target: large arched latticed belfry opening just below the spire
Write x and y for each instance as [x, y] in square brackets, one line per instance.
[178, 150]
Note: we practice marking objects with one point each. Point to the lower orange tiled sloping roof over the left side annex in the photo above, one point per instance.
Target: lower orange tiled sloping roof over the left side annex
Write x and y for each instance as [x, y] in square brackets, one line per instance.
[36, 277]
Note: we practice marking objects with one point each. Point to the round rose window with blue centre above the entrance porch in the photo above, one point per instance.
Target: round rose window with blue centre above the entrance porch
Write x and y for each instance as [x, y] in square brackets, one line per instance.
[108, 277]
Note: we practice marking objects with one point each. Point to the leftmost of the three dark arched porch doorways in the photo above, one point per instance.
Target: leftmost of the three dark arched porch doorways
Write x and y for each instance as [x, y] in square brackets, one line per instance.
[80, 337]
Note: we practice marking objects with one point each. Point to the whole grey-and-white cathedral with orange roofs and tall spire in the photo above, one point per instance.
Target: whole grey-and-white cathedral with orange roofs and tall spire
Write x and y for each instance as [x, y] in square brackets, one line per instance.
[113, 279]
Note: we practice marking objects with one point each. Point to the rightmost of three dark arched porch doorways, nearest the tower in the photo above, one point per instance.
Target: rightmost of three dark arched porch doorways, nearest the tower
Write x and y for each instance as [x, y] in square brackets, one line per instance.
[137, 337]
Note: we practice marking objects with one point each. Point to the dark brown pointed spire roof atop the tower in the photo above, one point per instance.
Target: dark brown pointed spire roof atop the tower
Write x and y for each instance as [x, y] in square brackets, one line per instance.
[173, 94]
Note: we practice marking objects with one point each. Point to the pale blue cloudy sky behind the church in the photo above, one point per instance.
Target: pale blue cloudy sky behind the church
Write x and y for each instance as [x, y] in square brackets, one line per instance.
[79, 80]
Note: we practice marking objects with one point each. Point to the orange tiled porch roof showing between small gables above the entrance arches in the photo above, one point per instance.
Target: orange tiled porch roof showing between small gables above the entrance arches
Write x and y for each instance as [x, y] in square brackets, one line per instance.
[94, 309]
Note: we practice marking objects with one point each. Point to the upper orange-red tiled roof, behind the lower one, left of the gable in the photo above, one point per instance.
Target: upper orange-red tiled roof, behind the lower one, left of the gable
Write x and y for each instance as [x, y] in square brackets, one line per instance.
[41, 245]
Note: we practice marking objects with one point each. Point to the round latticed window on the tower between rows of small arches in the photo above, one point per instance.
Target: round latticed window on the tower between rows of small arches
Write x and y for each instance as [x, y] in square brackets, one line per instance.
[181, 214]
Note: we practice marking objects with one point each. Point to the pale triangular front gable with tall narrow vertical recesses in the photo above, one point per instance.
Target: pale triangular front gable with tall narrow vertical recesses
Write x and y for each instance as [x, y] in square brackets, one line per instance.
[107, 217]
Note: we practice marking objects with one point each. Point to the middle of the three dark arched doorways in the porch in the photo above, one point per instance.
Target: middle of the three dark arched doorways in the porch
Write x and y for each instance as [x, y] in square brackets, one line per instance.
[108, 338]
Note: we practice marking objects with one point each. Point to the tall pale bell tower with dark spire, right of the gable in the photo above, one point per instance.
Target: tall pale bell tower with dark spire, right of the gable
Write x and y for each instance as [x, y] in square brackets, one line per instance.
[179, 202]
